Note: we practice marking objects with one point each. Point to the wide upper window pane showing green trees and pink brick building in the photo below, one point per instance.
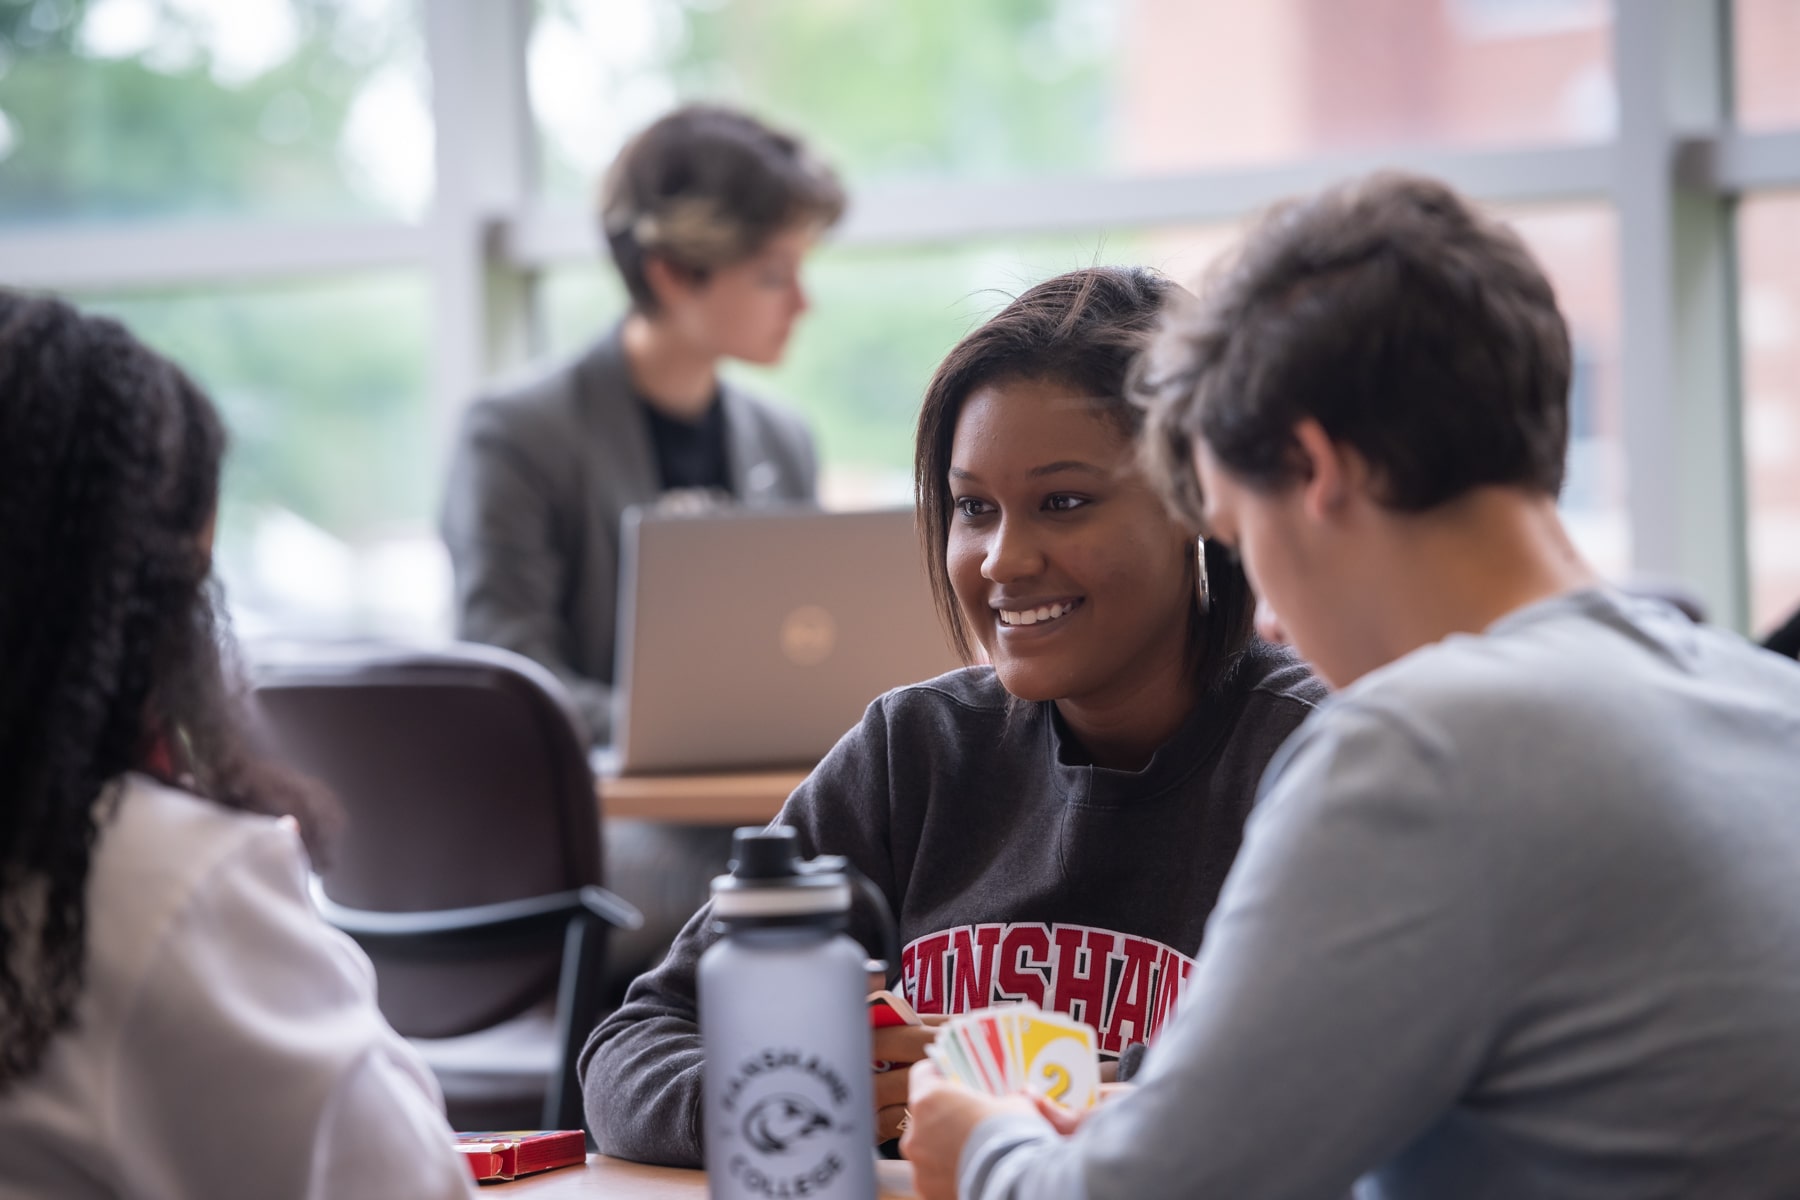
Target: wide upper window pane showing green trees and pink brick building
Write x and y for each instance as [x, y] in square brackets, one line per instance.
[975, 91]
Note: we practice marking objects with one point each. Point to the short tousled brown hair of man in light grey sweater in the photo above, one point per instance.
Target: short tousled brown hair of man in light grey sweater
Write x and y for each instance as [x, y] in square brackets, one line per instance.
[1407, 323]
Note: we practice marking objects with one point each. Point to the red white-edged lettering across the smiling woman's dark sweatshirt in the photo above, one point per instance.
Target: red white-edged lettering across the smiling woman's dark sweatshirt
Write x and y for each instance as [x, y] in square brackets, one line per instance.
[1120, 985]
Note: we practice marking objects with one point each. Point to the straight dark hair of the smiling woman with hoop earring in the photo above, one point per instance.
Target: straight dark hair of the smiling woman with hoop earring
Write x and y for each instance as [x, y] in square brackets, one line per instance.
[1081, 330]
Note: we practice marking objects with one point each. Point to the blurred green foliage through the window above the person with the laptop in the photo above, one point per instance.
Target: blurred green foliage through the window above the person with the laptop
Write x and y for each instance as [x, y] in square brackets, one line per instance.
[926, 87]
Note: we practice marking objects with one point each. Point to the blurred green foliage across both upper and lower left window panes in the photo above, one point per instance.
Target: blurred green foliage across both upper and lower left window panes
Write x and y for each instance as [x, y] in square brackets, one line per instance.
[321, 381]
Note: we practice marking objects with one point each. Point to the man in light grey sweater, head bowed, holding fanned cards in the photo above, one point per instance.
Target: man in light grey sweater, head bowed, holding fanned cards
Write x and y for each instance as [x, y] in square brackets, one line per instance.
[1518, 911]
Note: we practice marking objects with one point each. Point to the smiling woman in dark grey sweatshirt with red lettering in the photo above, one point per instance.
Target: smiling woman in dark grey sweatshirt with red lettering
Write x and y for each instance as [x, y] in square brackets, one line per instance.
[1054, 827]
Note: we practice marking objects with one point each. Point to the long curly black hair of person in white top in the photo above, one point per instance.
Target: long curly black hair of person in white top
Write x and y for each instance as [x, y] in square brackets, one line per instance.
[111, 652]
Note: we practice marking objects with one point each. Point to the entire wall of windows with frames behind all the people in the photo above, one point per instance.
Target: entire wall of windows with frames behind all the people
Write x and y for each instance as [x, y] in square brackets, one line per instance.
[345, 215]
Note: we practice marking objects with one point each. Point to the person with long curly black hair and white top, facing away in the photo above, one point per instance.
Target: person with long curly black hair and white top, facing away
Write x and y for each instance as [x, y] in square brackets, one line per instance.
[174, 1017]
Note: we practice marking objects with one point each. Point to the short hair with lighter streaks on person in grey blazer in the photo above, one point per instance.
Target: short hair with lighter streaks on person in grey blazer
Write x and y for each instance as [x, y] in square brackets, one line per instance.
[708, 188]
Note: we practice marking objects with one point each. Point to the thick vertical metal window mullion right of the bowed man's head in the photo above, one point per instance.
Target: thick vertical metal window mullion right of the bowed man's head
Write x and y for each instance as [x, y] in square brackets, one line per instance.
[1678, 337]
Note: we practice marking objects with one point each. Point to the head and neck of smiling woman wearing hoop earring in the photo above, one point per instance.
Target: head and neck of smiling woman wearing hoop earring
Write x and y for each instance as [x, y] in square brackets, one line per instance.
[1032, 499]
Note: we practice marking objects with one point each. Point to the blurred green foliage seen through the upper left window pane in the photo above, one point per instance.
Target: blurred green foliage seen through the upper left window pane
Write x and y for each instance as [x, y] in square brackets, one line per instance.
[161, 132]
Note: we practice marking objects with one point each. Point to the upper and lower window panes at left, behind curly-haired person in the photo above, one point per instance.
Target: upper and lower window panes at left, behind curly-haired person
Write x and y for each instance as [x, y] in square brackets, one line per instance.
[186, 116]
